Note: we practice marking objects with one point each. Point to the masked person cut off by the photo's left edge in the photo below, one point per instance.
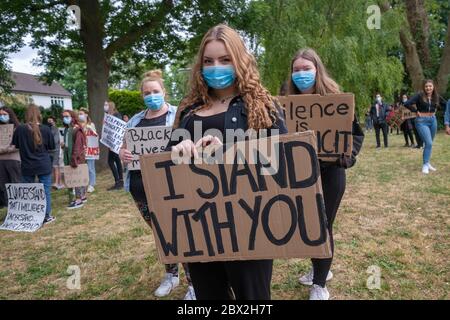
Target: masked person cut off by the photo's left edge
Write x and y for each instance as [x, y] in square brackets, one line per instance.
[9, 155]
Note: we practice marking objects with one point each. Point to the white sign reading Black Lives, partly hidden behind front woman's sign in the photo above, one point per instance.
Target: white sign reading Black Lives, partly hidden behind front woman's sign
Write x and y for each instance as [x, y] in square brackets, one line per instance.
[146, 140]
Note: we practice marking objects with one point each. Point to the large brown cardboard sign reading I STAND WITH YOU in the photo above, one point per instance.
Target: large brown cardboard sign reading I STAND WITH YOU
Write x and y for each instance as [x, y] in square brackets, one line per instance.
[219, 212]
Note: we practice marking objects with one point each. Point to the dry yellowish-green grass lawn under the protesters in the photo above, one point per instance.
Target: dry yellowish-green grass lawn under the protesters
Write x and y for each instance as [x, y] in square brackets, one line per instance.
[392, 217]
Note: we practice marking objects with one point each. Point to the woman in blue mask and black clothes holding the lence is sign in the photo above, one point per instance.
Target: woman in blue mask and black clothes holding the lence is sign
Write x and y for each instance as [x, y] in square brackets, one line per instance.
[309, 76]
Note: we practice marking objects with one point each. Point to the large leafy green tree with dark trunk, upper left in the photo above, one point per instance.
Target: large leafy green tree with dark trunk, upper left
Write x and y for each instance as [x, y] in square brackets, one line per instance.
[110, 29]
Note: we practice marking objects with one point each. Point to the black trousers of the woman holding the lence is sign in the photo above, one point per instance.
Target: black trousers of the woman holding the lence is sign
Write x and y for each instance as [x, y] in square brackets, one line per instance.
[333, 185]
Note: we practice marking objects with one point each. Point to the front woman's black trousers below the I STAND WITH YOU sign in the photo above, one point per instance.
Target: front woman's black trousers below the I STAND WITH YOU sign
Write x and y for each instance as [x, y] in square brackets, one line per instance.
[246, 280]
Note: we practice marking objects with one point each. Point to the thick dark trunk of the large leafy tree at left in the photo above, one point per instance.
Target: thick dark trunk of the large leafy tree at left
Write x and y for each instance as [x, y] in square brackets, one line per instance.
[97, 65]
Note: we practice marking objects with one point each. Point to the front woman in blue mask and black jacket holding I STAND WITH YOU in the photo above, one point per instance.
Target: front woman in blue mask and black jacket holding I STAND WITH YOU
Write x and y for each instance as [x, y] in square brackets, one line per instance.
[226, 94]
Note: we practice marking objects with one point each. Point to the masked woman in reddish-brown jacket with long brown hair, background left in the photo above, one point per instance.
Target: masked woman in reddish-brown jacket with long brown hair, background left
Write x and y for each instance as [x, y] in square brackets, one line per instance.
[74, 148]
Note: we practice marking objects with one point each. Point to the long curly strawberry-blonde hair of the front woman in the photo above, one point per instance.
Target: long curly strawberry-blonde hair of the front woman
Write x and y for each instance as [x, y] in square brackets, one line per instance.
[261, 110]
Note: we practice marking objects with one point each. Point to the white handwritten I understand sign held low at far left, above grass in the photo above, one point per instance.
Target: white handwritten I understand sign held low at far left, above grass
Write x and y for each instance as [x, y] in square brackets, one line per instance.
[26, 207]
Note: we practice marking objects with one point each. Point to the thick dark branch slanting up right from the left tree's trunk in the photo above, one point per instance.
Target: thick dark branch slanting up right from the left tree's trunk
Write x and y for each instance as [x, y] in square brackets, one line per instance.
[138, 31]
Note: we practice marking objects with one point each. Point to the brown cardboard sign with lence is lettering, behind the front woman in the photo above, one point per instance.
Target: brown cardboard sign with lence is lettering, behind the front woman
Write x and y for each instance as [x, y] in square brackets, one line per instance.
[330, 116]
